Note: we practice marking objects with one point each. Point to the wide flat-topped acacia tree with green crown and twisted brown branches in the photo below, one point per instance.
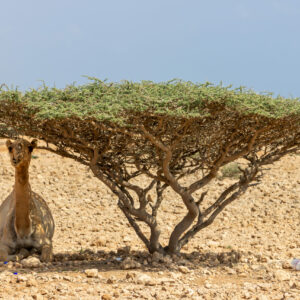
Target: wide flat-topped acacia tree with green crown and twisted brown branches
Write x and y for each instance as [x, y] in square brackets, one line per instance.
[165, 131]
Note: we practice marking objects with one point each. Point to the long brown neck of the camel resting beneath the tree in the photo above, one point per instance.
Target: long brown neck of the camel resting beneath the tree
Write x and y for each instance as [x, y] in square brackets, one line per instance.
[22, 198]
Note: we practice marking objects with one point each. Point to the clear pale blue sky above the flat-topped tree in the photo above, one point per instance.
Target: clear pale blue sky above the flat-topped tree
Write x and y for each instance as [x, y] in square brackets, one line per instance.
[255, 43]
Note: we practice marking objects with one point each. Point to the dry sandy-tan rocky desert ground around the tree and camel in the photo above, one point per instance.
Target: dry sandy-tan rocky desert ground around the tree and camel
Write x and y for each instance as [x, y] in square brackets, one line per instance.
[244, 254]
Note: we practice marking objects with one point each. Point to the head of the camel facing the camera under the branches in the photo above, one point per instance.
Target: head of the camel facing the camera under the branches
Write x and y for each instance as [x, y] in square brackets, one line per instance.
[20, 151]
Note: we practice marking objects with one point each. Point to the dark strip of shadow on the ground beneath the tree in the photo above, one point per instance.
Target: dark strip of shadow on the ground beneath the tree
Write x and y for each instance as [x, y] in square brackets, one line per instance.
[123, 259]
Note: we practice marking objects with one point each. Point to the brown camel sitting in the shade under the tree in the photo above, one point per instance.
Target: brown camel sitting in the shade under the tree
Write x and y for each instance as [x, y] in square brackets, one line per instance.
[26, 222]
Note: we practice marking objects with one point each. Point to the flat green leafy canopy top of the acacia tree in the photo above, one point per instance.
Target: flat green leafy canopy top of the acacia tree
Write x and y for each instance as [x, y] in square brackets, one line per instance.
[113, 102]
